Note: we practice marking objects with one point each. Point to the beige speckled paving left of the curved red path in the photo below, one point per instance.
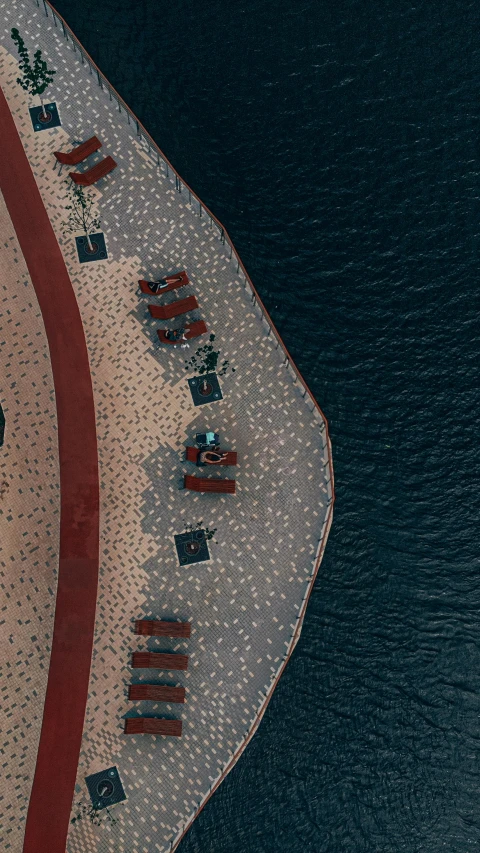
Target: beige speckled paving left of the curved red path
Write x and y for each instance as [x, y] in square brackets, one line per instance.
[30, 524]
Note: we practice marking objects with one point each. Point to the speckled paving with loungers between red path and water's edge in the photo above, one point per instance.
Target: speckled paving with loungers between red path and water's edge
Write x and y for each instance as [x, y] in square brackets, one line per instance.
[244, 602]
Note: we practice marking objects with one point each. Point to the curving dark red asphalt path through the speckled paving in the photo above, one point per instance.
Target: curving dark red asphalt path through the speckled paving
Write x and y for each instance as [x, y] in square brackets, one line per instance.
[68, 676]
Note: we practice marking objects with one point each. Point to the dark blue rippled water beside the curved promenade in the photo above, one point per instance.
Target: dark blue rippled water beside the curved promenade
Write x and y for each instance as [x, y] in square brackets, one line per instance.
[338, 143]
